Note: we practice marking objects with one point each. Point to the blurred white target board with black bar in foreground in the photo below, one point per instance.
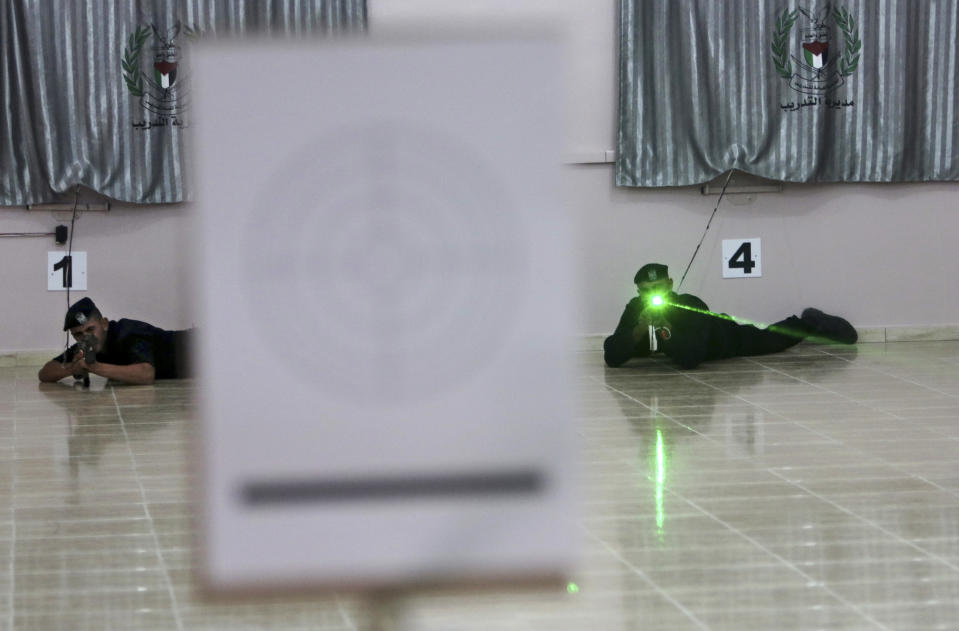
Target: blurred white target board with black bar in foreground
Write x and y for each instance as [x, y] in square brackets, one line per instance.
[386, 312]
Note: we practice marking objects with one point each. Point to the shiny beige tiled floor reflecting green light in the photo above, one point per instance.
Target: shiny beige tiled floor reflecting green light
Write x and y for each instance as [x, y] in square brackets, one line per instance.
[814, 489]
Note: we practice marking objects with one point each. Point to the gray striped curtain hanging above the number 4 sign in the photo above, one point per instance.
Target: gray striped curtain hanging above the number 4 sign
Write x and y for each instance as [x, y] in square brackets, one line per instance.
[856, 91]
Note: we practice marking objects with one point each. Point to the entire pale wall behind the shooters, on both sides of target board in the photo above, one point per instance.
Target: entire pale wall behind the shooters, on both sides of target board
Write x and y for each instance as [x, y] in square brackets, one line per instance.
[882, 255]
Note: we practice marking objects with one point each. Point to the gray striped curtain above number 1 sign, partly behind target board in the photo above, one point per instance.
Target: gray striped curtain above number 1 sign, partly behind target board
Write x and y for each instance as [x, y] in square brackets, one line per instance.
[94, 92]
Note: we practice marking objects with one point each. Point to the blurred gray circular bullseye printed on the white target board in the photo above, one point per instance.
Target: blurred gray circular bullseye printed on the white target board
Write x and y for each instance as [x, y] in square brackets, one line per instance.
[390, 266]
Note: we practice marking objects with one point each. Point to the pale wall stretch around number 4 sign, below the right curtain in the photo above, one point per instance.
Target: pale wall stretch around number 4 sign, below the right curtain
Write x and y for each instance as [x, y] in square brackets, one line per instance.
[880, 255]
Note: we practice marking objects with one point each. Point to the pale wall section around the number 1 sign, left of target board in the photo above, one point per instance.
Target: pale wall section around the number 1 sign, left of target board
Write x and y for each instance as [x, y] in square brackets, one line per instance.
[138, 267]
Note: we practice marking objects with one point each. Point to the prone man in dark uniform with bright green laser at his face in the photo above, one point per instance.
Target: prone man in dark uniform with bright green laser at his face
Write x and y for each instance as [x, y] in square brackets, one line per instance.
[687, 332]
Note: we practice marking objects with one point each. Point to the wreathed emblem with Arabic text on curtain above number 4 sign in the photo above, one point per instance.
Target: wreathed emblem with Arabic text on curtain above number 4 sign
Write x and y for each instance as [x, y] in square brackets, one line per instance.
[809, 61]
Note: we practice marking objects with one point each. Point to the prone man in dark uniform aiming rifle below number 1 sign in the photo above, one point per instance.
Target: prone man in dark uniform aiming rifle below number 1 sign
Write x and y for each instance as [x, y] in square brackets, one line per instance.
[125, 350]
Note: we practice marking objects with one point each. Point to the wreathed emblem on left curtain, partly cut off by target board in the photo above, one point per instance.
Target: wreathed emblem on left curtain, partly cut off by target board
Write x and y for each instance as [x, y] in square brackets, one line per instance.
[151, 72]
